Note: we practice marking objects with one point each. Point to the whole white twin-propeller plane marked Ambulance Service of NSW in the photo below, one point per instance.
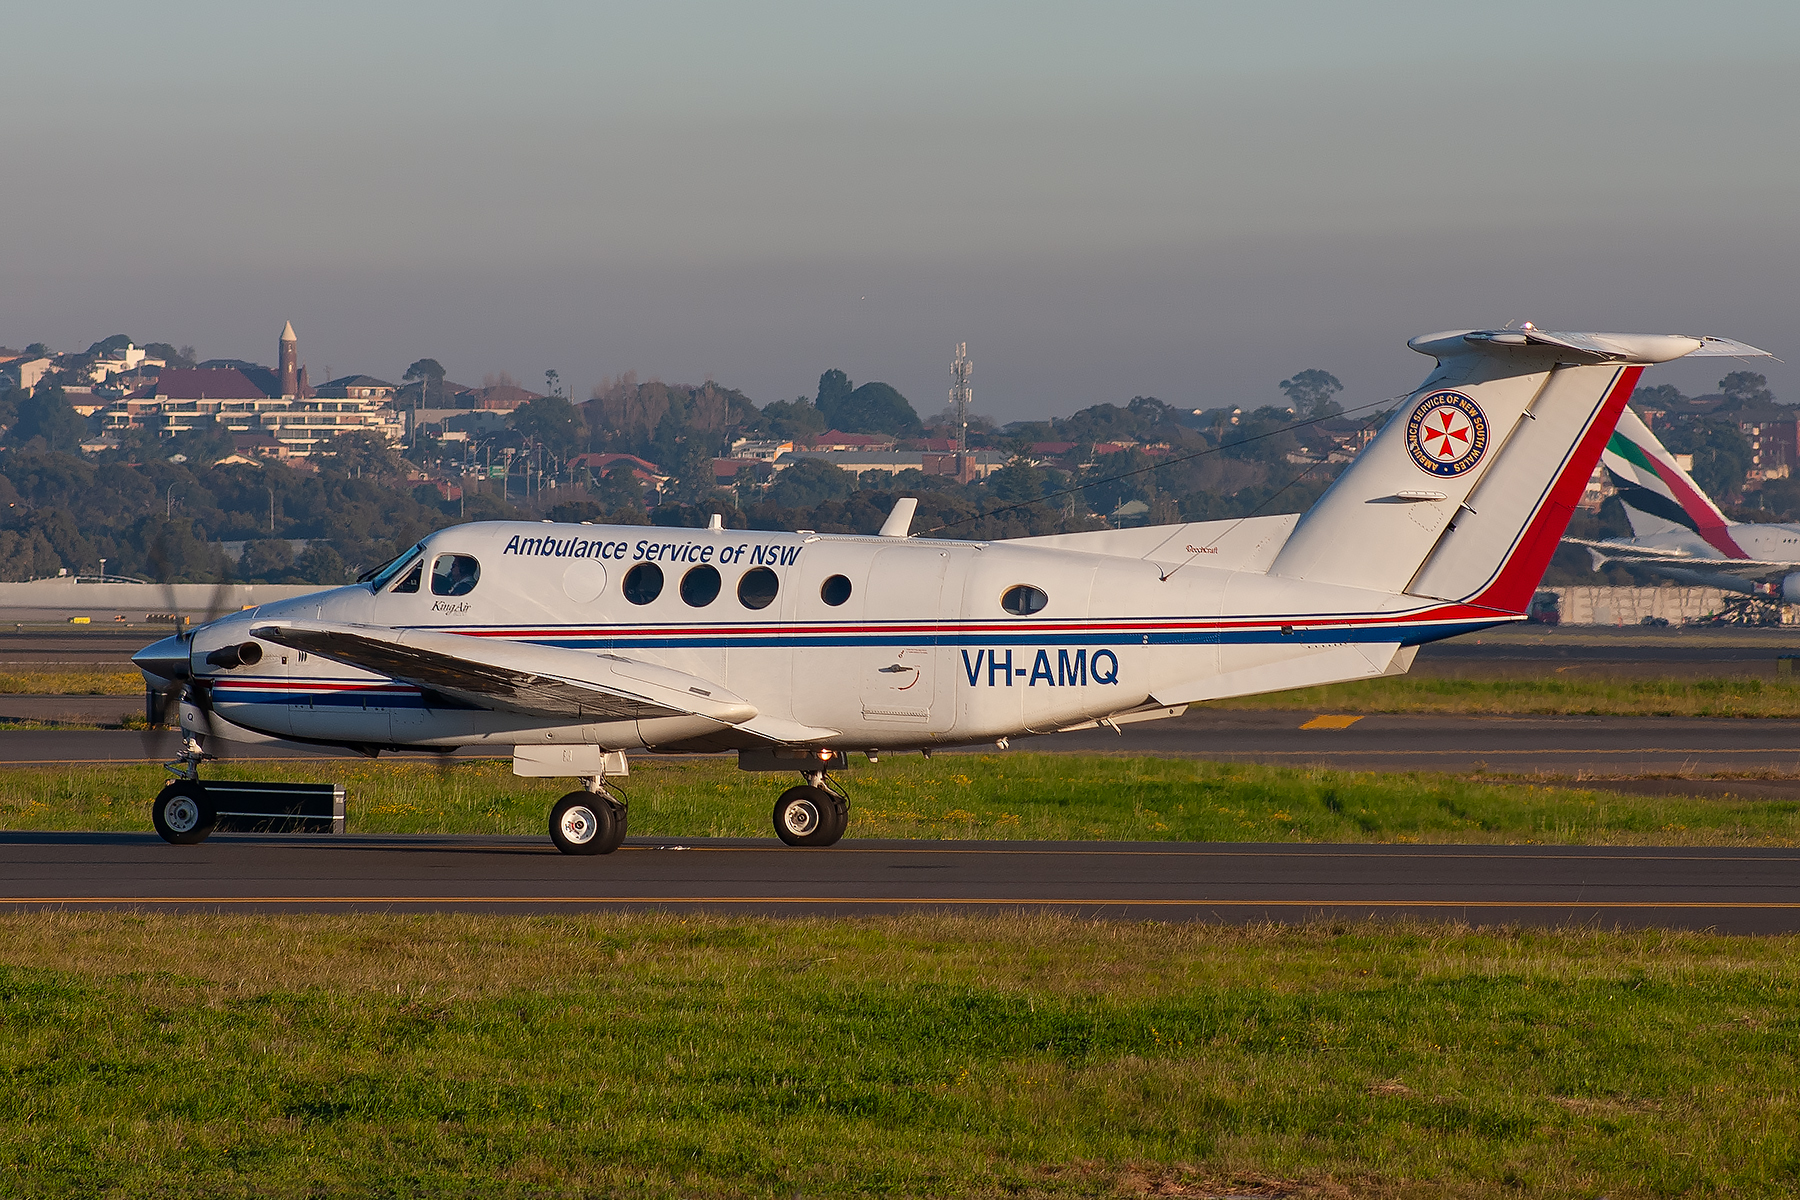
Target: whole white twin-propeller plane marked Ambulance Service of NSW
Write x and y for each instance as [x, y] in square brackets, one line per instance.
[571, 645]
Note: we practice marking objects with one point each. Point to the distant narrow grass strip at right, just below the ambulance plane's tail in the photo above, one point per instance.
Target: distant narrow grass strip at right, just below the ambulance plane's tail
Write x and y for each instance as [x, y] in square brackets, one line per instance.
[1743, 695]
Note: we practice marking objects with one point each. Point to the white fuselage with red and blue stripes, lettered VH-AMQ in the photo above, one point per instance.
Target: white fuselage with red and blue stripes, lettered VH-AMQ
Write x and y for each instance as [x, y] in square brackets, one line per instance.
[886, 643]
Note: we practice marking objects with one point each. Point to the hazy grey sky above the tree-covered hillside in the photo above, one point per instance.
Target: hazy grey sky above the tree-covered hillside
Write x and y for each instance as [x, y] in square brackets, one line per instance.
[1182, 201]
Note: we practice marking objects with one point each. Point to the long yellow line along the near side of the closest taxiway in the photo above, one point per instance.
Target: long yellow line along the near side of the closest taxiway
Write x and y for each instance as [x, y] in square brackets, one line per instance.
[906, 900]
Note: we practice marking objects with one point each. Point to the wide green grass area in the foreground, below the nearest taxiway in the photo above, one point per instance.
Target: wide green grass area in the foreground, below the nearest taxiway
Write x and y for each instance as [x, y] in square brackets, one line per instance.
[908, 1057]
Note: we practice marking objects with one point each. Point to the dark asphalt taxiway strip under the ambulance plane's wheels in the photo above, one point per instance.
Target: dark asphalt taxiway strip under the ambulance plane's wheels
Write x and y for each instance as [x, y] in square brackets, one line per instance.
[1745, 891]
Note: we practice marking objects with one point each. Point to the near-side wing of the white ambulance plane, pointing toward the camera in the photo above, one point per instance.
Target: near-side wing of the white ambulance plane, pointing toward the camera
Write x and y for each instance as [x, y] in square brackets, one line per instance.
[516, 677]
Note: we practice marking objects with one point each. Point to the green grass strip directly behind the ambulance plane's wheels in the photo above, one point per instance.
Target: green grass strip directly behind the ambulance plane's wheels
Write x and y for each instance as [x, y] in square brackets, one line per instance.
[989, 796]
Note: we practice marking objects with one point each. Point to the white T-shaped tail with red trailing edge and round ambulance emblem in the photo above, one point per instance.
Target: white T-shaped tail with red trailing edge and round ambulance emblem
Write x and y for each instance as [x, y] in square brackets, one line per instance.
[1466, 492]
